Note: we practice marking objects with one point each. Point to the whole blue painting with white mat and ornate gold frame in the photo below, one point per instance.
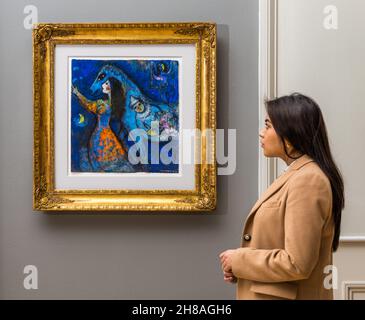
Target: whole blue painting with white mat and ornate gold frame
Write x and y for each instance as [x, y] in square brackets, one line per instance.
[124, 117]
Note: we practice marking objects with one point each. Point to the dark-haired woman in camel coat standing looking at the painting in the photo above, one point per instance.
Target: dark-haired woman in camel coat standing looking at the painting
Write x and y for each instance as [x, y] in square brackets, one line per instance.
[292, 230]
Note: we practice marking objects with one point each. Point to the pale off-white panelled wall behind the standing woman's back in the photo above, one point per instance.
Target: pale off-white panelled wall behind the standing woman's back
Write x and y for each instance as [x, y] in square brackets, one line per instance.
[329, 66]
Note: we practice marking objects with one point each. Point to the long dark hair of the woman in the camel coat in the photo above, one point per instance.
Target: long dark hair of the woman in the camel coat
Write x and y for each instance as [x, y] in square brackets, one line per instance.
[298, 120]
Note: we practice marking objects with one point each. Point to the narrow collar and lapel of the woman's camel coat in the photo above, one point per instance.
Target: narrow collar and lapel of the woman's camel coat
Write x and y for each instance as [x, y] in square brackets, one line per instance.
[280, 181]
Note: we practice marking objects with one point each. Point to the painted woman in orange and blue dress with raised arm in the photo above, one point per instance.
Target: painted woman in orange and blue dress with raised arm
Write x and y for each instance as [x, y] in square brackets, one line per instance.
[106, 152]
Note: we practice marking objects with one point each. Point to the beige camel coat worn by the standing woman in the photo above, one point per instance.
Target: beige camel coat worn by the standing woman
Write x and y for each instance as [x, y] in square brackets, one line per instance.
[287, 238]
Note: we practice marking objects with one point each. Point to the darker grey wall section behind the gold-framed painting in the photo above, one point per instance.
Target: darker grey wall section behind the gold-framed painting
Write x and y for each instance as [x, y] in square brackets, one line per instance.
[125, 256]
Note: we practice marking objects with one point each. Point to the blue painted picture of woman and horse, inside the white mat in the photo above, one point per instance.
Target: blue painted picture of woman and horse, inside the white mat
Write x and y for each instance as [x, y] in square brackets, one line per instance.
[110, 99]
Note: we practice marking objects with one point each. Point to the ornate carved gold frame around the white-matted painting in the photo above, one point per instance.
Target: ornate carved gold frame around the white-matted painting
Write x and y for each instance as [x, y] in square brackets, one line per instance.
[45, 38]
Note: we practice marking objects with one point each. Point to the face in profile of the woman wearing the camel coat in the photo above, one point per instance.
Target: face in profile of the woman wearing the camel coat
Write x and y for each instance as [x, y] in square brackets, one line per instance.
[270, 141]
